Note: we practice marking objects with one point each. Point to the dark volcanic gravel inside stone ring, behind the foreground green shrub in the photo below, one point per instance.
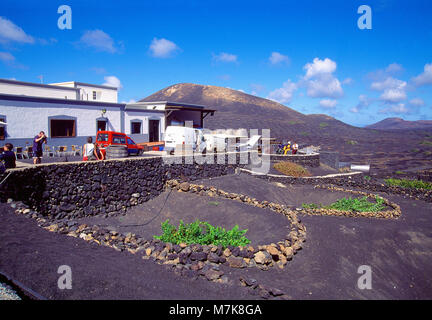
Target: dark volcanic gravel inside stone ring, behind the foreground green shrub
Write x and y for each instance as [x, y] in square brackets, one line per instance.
[264, 226]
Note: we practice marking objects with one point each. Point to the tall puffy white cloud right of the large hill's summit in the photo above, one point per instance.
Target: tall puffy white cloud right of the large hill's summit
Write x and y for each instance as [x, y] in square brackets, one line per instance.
[319, 79]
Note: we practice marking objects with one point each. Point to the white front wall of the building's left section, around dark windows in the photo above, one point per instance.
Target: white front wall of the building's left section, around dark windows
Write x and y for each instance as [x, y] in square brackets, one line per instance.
[25, 119]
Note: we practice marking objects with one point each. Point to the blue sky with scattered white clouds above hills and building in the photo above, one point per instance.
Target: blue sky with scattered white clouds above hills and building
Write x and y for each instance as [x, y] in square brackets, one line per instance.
[308, 55]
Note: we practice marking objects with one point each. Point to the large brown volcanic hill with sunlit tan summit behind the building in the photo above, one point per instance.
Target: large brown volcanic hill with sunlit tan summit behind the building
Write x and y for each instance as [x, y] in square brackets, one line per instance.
[236, 109]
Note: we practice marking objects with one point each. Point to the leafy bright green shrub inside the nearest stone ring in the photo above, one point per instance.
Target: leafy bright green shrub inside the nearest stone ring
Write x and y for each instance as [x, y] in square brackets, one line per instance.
[203, 233]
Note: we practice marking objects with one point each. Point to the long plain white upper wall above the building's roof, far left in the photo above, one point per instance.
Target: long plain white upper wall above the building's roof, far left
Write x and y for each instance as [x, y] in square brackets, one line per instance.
[37, 91]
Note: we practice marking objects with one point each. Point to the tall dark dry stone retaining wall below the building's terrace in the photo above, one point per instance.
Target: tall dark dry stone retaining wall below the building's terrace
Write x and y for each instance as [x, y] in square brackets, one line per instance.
[72, 190]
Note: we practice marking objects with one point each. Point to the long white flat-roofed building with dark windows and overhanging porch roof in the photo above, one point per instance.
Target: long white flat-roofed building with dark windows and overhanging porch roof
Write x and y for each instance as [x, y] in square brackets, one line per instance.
[69, 112]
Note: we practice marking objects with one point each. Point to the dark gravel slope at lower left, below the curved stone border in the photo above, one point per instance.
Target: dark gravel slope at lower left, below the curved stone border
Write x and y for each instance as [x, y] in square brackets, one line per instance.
[32, 256]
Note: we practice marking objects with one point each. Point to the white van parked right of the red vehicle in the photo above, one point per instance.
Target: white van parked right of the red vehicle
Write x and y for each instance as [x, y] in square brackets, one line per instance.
[184, 137]
